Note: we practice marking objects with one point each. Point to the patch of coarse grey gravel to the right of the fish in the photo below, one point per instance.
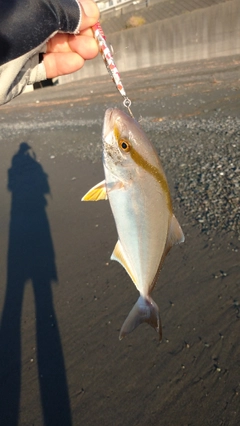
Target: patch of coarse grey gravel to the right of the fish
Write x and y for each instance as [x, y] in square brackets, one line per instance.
[202, 158]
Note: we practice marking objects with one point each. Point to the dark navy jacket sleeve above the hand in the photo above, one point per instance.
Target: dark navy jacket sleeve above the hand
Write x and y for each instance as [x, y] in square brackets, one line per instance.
[26, 24]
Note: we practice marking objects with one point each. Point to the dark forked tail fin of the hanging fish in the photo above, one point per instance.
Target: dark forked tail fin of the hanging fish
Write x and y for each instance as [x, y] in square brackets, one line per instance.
[144, 310]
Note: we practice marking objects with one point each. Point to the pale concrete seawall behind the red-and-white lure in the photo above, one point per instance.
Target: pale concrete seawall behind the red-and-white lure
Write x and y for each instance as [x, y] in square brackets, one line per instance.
[205, 33]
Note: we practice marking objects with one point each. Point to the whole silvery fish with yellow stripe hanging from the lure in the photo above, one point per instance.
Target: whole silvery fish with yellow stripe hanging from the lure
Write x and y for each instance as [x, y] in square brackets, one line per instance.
[136, 187]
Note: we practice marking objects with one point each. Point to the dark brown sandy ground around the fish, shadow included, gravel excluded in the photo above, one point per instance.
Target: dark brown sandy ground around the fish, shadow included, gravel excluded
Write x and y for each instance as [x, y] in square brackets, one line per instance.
[62, 301]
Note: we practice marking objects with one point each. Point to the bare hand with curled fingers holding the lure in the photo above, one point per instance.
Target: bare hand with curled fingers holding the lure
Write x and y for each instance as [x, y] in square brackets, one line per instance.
[66, 53]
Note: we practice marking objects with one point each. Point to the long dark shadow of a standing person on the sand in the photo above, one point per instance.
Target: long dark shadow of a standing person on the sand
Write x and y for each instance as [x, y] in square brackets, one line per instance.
[31, 257]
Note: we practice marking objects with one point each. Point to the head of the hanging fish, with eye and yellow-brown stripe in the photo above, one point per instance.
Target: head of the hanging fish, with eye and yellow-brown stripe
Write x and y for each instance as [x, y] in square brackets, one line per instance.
[126, 148]
